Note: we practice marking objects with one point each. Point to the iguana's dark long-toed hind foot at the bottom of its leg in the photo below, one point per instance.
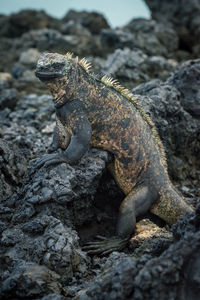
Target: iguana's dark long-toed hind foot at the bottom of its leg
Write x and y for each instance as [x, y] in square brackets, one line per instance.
[105, 245]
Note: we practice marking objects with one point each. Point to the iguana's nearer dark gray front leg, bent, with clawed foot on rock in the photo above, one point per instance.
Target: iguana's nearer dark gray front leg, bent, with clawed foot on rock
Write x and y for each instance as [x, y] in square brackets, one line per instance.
[78, 144]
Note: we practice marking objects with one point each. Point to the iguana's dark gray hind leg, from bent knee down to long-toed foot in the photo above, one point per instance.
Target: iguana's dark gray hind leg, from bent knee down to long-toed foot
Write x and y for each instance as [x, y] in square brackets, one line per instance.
[136, 202]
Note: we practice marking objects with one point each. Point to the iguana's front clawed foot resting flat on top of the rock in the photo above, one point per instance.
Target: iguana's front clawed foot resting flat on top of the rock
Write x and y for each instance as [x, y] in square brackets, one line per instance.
[48, 159]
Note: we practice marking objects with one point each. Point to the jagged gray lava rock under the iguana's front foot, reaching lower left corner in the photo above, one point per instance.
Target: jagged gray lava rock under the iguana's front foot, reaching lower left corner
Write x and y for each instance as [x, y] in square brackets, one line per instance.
[42, 218]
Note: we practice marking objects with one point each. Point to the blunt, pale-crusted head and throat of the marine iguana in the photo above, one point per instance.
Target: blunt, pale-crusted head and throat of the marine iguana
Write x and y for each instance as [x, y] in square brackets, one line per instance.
[59, 73]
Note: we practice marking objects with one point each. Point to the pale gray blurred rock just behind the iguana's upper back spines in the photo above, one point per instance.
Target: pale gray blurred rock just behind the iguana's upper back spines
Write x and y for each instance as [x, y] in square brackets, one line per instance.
[134, 66]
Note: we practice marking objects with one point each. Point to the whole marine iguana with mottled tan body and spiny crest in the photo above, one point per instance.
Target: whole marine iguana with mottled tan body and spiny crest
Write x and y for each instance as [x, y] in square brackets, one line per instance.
[92, 112]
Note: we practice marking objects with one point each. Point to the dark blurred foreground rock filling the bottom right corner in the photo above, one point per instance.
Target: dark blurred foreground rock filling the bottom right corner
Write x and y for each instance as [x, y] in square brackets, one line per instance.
[173, 275]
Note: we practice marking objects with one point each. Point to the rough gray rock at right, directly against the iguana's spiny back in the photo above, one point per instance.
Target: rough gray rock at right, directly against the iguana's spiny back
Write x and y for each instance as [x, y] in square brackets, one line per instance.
[179, 131]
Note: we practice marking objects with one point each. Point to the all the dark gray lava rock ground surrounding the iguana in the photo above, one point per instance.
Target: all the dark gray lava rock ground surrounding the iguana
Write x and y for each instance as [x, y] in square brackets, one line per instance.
[47, 216]
